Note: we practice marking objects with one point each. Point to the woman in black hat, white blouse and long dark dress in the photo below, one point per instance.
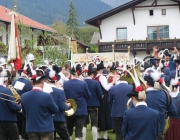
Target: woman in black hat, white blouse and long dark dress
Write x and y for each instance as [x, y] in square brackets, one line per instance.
[104, 119]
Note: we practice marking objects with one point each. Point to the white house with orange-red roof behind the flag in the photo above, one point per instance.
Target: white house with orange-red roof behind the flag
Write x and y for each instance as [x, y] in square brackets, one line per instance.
[5, 23]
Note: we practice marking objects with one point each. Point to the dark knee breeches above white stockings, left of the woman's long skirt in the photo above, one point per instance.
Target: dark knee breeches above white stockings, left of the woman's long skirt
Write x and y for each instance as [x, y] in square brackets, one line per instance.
[93, 114]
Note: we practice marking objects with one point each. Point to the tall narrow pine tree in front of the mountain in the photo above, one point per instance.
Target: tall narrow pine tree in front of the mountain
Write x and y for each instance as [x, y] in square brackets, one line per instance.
[72, 23]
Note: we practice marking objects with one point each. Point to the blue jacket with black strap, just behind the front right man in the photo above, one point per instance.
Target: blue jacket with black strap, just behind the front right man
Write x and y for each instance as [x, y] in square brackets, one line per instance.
[157, 100]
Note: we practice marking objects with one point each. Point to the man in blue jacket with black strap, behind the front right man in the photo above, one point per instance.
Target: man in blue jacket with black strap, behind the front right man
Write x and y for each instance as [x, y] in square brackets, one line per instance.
[157, 99]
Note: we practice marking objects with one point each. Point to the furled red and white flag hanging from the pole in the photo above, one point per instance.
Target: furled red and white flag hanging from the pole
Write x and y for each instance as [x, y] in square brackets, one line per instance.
[14, 50]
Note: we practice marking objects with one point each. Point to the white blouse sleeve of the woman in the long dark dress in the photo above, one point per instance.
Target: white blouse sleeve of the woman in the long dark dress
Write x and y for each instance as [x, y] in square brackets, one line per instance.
[104, 82]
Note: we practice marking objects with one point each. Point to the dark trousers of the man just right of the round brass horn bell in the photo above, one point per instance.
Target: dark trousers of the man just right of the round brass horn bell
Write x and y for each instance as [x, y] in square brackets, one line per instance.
[78, 122]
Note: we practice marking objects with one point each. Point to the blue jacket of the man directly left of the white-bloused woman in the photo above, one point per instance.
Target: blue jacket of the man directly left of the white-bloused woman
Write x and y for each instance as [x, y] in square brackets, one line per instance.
[96, 92]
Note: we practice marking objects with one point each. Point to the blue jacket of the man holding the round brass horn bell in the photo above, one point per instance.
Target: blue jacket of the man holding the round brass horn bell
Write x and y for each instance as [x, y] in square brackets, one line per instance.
[60, 99]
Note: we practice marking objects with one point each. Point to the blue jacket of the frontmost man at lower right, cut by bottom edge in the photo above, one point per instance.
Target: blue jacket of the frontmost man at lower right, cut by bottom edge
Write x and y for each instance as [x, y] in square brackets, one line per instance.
[140, 123]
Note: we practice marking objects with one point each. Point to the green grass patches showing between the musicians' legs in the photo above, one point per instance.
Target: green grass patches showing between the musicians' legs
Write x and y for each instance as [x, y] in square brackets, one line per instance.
[111, 134]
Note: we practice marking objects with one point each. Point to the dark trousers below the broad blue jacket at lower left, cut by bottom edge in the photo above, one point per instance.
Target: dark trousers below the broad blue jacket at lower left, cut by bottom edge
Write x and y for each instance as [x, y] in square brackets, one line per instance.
[41, 136]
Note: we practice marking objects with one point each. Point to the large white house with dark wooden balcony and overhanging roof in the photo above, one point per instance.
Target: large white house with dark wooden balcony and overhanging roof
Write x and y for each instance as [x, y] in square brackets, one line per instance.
[140, 24]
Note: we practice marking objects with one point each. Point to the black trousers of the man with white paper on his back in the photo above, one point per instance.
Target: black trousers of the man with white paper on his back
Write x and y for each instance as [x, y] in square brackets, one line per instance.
[21, 122]
